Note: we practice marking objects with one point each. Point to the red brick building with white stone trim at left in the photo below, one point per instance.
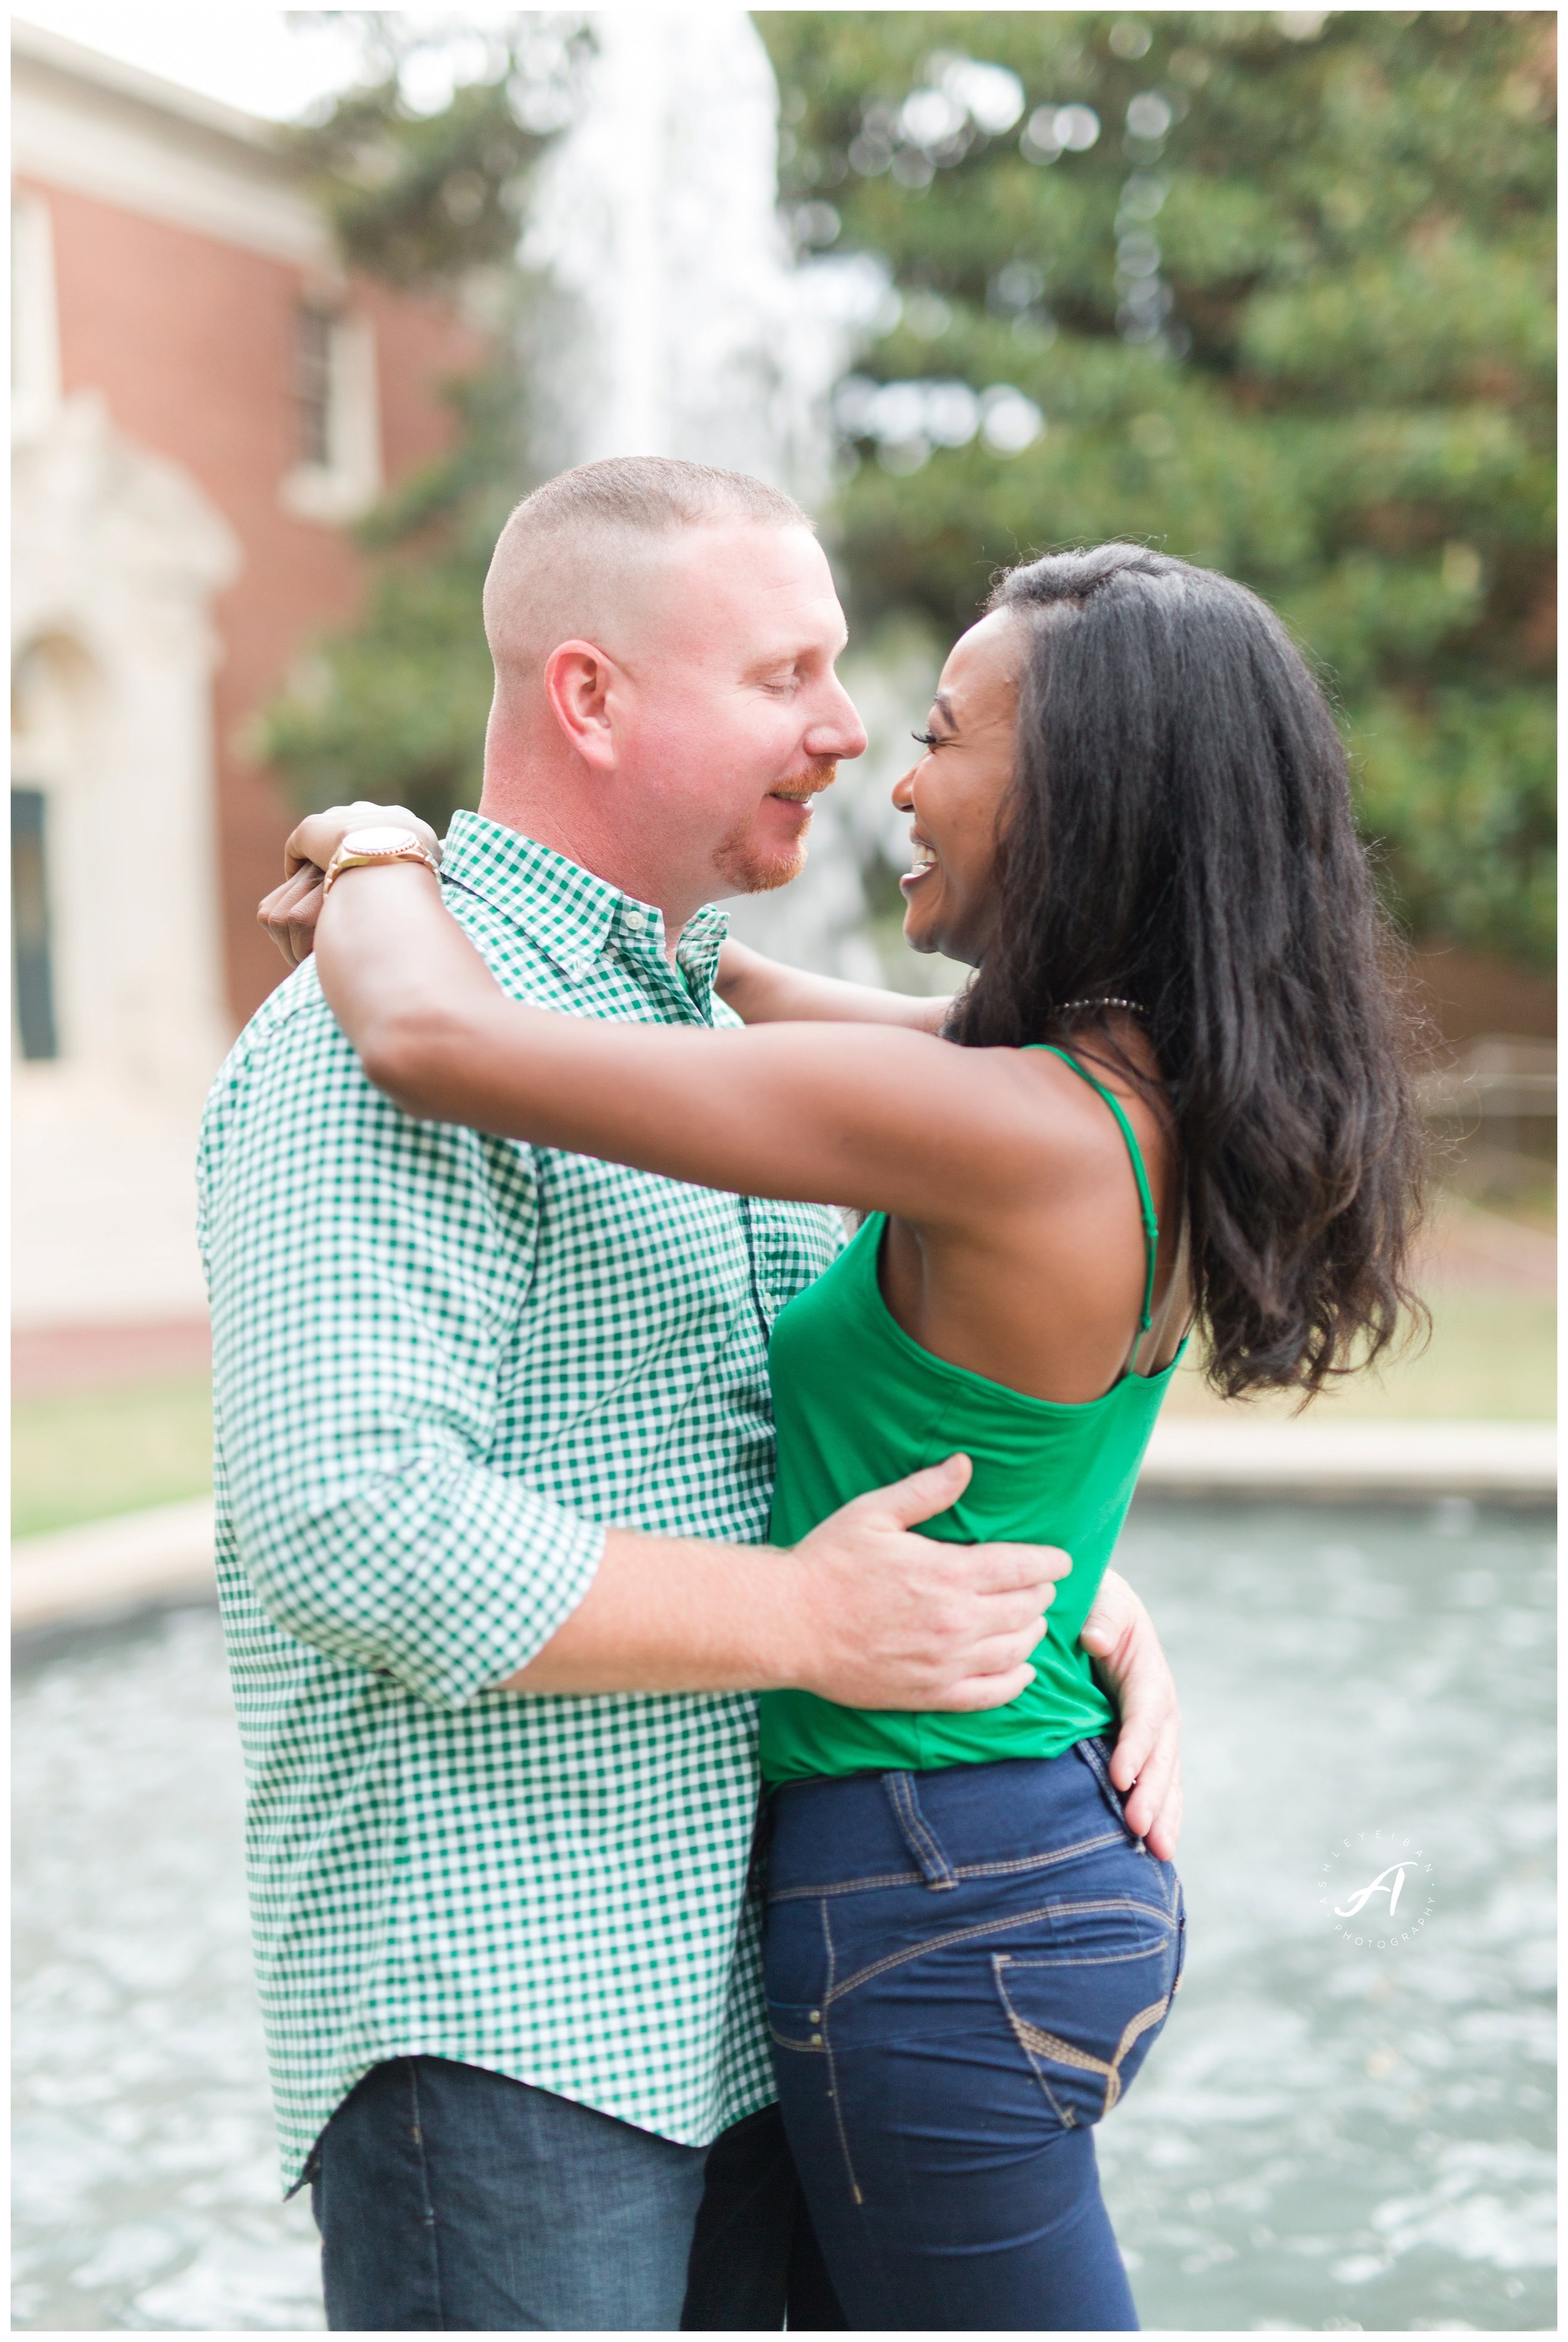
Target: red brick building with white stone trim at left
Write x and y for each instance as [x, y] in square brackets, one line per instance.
[202, 402]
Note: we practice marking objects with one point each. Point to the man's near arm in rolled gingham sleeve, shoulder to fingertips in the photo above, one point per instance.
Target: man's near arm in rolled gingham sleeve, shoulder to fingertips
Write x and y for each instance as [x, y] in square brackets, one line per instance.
[366, 1278]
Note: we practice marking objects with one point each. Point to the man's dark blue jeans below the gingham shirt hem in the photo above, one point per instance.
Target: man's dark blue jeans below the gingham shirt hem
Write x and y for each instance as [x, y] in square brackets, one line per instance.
[453, 2198]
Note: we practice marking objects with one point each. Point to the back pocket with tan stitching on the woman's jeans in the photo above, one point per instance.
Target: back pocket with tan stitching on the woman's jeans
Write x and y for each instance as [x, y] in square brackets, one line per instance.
[1087, 2008]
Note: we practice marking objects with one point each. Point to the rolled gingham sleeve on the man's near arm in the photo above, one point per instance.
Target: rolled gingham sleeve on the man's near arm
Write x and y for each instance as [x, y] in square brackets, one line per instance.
[366, 1278]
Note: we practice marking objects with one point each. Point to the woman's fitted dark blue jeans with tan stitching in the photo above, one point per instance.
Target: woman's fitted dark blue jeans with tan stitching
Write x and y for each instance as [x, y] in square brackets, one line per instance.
[965, 1971]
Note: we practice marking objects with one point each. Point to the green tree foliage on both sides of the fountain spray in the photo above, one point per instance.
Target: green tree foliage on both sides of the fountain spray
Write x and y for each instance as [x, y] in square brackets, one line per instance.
[1272, 292]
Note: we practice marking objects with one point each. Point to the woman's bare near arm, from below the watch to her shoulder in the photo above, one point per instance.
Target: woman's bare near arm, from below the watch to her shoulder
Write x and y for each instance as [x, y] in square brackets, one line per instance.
[848, 1114]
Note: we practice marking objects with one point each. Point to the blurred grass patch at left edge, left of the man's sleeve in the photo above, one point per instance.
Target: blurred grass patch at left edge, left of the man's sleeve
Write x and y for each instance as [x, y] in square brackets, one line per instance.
[81, 1456]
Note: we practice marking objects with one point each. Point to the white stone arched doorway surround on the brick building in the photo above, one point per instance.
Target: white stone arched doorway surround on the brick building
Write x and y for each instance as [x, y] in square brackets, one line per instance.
[116, 566]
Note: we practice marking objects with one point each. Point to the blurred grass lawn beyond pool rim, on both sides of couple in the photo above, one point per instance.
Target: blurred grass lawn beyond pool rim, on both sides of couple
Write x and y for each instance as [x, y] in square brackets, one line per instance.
[81, 1456]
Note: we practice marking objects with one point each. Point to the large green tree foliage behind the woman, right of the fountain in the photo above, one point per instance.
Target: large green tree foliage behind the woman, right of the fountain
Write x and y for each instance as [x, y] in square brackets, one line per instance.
[1337, 385]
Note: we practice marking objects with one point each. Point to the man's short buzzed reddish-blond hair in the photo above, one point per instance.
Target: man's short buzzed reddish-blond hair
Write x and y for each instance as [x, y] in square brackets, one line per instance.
[565, 559]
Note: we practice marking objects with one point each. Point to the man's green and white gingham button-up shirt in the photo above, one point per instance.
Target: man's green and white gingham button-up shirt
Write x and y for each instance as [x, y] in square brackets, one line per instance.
[443, 1362]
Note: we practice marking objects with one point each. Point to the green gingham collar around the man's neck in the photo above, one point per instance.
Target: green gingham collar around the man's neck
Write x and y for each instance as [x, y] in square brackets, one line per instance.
[565, 910]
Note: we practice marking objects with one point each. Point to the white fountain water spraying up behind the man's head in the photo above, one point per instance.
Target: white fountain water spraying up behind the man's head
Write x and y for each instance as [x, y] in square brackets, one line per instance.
[673, 317]
